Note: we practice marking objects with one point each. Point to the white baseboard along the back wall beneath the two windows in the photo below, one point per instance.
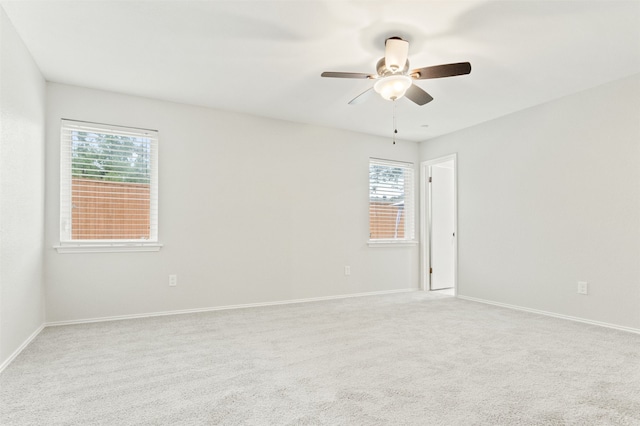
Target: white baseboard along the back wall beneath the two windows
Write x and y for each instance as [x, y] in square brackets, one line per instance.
[224, 308]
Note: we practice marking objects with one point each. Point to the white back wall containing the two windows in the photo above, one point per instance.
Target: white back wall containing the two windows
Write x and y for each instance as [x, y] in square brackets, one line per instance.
[251, 210]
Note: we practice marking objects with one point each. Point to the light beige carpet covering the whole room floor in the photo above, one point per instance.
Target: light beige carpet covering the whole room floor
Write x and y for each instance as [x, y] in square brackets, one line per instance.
[402, 359]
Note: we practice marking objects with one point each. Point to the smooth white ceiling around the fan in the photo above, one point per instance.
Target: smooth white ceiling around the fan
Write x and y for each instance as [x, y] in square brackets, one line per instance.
[265, 57]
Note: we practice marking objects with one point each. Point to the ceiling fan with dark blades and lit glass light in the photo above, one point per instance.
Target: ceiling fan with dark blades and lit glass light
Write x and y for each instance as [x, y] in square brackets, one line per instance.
[393, 78]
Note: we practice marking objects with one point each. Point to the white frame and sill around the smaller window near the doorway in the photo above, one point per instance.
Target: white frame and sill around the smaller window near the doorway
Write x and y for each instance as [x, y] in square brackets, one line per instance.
[409, 205]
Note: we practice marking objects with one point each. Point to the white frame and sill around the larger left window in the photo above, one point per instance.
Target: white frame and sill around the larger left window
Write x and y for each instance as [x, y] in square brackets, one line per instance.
[66, 242]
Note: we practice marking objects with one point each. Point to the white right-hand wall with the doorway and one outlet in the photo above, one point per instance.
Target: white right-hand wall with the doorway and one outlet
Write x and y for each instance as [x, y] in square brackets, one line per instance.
[550, 196]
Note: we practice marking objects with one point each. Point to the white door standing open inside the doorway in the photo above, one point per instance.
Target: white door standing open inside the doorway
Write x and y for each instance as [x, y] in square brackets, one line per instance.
[442, 226]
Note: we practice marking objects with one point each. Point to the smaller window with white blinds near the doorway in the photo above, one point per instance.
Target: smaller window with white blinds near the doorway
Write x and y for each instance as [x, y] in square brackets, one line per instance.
[391, 201]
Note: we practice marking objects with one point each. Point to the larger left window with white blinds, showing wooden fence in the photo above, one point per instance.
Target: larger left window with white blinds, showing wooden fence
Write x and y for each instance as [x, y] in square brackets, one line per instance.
[108, 186]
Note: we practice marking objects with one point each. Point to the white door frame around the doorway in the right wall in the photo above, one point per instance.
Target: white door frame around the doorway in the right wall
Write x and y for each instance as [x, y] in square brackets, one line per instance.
[425, 220]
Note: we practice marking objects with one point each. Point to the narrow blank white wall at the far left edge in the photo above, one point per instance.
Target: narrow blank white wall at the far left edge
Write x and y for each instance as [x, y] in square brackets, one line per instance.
[22, 92]
